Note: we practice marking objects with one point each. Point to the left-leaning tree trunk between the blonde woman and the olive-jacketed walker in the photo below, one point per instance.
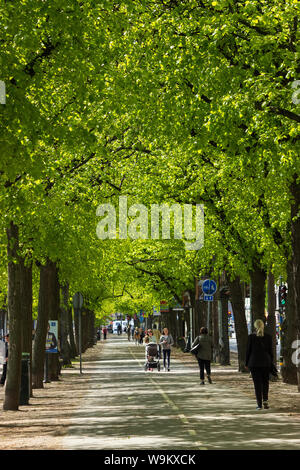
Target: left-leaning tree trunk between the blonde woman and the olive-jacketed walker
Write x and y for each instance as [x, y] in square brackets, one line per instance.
[238, 305]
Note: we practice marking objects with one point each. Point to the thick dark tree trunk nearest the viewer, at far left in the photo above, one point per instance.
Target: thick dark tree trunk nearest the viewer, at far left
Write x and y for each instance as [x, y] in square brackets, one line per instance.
[13, 378]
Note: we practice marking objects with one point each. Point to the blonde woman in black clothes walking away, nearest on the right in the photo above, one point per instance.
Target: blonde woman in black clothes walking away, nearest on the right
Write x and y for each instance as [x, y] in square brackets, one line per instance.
[259, 358]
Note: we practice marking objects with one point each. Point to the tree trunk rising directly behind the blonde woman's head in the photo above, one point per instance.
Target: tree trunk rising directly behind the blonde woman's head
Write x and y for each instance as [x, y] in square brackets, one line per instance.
[258, 293]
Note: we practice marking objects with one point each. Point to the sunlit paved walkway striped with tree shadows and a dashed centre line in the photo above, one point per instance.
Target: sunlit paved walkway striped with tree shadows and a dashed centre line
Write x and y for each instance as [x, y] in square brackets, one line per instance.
[127, 408]
